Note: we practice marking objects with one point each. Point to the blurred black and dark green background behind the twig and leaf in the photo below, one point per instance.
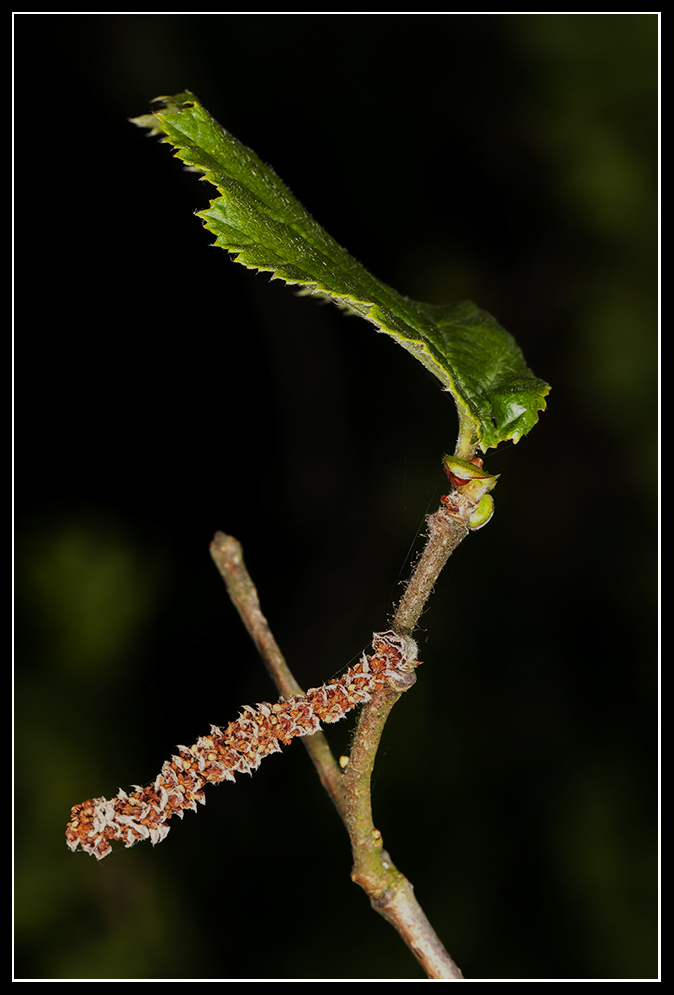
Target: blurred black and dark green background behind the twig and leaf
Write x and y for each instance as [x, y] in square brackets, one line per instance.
[162, 392]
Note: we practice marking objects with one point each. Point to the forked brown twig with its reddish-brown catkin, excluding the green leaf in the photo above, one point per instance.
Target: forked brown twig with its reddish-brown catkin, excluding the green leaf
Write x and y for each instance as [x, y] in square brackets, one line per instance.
[376, 682]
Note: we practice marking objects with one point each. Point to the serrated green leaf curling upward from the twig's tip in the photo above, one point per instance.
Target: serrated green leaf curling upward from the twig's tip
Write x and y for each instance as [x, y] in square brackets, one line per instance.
[258, 220]
